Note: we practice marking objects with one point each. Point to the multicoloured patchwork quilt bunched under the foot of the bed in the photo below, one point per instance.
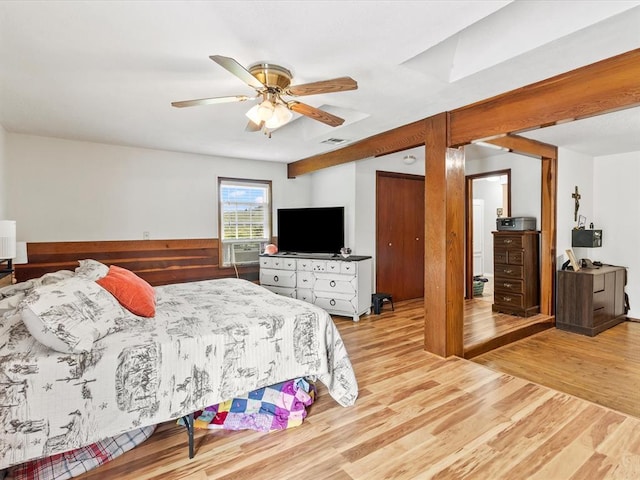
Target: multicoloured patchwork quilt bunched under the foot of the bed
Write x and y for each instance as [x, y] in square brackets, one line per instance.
[276, 407]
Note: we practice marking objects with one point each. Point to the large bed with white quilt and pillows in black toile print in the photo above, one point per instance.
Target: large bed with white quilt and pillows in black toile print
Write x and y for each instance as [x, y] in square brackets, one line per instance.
[206, 342]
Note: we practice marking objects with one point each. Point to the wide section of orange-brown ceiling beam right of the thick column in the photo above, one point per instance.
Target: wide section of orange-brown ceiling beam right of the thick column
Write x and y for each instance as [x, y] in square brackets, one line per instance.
[602, 87]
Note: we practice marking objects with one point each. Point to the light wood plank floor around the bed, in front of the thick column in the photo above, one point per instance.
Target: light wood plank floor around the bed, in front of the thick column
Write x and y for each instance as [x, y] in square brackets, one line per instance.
[418, 416]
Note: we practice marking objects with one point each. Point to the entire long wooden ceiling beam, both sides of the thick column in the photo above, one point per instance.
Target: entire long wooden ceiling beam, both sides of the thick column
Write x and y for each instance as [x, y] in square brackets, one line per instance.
[602, 87]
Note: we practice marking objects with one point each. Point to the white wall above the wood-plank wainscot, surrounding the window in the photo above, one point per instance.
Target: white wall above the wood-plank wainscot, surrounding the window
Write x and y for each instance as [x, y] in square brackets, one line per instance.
[63, 190]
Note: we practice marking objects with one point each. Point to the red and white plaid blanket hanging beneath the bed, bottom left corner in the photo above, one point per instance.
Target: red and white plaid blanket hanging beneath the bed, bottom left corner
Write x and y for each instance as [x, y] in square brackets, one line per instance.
[76, 462]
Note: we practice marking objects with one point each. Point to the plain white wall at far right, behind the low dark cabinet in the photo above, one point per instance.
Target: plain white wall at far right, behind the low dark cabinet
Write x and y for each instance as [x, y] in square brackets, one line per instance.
[617, 212]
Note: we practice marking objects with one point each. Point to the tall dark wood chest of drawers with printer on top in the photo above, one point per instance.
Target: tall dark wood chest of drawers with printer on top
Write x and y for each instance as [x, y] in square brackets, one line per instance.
[516, 272]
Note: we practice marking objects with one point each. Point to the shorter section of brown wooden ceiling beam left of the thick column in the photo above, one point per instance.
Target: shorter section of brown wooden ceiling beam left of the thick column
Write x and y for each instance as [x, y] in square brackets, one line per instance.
[396, 140]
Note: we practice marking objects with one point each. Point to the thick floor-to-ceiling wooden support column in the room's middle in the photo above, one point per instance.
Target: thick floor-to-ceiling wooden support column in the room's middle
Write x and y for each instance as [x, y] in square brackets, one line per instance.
[444, 241]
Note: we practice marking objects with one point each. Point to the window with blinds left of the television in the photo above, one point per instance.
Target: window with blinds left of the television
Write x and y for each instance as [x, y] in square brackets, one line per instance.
[244, 211]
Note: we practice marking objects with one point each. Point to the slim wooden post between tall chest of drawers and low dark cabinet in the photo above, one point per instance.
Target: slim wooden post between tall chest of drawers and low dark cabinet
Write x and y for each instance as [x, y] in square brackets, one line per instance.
[549, 203]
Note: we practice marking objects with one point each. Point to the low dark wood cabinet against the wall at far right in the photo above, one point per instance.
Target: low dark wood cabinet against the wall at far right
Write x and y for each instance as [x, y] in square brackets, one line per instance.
[591, 299]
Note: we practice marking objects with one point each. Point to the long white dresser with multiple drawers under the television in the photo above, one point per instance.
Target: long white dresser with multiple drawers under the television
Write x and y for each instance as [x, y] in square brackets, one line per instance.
[339, 286]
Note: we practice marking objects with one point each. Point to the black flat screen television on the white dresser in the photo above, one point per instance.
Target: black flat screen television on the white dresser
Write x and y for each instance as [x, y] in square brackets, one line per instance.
[311, 230]
